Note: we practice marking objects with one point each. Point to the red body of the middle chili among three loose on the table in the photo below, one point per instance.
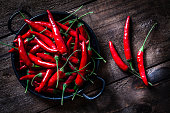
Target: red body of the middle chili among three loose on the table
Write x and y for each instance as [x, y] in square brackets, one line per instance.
[126, 40]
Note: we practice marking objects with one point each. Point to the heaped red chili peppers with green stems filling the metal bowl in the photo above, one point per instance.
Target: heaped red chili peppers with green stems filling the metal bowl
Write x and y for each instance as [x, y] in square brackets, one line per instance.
[55, 56]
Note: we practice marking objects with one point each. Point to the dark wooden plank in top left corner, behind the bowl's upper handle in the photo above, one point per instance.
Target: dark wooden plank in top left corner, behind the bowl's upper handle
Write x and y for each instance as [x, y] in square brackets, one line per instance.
[34, 7]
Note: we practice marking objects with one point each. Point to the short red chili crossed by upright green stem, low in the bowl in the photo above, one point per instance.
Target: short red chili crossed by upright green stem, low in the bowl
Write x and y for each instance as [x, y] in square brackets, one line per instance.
[53, 80]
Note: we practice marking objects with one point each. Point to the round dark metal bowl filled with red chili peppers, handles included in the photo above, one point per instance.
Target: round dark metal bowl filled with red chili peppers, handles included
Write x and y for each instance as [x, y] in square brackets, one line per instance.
[53, 55]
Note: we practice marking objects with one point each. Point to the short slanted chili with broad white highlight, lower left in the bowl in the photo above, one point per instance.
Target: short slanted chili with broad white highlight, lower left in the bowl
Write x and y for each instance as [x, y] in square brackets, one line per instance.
[45, 80]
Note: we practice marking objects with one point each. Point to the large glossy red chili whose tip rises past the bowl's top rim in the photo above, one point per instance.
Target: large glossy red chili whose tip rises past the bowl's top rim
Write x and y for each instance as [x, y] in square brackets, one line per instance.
[56, 34]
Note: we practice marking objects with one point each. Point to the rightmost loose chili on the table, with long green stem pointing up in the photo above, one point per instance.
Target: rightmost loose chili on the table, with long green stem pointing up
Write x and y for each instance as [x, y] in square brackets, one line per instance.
[140, 59]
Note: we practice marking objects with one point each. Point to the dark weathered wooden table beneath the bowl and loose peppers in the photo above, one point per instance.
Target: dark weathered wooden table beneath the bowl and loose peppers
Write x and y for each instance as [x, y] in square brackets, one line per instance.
[123, 93]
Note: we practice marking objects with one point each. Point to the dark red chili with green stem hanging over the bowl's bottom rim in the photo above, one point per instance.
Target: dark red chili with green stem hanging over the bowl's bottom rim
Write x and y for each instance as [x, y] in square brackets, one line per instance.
[70, 79]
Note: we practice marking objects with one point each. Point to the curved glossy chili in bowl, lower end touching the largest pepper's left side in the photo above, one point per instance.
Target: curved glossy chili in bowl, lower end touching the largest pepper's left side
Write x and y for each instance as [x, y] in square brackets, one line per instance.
[45, 47]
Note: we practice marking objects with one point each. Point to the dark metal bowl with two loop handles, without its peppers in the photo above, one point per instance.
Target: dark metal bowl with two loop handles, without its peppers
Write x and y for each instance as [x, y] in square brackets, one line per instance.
[15, 56]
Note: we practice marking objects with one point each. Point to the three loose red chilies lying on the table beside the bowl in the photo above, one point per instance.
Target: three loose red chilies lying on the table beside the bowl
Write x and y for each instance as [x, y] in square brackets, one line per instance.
[127, 51]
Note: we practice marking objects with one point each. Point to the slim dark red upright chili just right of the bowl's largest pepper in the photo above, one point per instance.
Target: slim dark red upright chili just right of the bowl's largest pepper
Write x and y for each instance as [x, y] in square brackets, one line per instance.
[76, 43]
